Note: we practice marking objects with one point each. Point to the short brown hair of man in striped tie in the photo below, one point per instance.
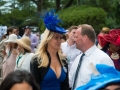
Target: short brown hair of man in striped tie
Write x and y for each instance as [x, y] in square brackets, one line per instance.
[89, 31]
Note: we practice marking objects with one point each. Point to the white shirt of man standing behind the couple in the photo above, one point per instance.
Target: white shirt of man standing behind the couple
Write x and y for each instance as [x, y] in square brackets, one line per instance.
[71, 52]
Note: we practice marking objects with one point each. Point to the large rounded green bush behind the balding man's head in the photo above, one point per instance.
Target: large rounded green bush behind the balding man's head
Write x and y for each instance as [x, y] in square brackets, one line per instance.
[77, 15]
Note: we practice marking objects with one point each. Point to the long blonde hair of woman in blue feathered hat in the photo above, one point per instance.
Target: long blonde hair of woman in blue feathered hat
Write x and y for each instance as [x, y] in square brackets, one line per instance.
[43, 59]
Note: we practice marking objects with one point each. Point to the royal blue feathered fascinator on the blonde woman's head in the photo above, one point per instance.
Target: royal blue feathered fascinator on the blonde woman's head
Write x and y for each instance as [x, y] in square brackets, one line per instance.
[51, 22]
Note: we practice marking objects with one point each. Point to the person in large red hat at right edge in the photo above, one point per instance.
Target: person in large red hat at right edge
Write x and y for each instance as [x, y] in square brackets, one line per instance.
[111, 46]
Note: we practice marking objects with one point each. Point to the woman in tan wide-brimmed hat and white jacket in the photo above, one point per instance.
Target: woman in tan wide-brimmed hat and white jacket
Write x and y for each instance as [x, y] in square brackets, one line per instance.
[25, 55]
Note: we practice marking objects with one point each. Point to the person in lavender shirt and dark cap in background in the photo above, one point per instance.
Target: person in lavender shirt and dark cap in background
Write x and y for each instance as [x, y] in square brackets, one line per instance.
[33, 38]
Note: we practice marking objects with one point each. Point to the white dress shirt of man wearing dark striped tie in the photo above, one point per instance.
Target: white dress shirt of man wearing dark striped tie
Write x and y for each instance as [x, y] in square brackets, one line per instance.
[92, 55]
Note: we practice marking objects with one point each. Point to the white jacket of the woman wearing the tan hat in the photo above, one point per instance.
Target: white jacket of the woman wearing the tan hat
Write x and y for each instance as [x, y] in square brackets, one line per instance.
[24, 62]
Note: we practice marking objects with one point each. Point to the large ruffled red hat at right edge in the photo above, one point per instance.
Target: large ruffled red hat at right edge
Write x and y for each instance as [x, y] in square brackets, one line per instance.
[113, 37]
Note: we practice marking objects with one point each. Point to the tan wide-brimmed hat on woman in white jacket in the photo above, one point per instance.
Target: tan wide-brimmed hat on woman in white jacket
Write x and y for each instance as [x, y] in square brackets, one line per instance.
[24, 42]
